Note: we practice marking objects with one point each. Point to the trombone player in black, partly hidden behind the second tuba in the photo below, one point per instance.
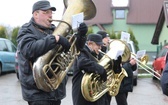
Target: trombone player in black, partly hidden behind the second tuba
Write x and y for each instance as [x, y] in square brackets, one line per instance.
[127, 82]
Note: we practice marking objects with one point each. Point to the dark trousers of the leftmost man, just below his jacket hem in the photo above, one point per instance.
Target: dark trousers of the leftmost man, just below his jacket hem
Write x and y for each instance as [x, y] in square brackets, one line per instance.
[44, 102]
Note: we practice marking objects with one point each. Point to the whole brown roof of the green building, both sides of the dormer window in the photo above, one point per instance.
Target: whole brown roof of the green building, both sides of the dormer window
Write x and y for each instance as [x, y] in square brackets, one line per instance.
[139, 12]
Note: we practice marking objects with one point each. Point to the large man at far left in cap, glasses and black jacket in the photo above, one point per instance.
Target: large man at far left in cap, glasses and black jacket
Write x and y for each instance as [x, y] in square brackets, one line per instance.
[35, 39]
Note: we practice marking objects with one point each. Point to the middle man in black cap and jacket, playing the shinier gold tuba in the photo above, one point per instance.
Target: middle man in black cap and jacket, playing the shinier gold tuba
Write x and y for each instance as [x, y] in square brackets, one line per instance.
[86, 63]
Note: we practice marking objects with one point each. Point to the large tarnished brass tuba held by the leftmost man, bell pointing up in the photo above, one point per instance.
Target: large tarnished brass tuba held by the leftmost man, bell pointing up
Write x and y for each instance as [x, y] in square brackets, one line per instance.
[50, 69]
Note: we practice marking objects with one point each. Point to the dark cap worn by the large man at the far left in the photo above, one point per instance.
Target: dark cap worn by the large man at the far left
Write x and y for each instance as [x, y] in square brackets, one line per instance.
[42, 5]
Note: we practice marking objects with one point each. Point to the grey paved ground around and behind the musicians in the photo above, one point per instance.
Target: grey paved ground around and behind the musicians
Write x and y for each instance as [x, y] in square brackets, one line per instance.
[147, 92]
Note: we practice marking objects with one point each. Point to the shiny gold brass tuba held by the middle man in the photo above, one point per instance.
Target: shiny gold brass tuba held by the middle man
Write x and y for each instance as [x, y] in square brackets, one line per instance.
[92, 87]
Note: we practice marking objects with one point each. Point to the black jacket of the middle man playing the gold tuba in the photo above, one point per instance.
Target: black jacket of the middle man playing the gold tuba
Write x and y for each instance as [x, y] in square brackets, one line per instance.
[87, 63]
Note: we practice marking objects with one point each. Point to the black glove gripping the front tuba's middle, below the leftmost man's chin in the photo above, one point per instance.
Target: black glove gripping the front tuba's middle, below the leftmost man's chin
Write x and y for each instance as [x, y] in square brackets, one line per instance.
[65, 43]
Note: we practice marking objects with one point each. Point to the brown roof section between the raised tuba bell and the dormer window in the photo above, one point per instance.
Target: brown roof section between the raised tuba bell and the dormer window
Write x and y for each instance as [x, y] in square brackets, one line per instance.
[103, 14]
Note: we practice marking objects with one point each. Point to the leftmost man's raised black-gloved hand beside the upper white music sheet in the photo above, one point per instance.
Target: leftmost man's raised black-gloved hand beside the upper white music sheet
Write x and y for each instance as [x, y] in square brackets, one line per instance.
[81, 36]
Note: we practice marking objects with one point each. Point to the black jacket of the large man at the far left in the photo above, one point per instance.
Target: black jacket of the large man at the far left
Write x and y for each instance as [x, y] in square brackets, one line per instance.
[32, 43]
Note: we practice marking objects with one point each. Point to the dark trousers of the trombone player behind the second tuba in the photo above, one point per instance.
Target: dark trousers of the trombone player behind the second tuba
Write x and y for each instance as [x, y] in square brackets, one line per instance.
[121, 98]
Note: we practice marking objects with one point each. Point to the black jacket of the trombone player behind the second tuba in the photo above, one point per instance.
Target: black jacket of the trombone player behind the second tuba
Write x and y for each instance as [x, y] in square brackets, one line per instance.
[127, 82]
